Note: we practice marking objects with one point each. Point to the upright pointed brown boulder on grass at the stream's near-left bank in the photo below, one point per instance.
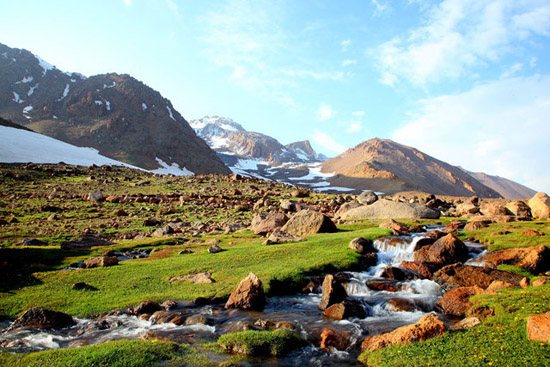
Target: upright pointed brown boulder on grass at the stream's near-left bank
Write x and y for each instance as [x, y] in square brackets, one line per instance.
[249, 294]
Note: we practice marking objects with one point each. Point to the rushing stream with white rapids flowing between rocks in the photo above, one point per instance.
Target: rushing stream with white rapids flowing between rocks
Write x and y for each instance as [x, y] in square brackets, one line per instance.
[398, 303]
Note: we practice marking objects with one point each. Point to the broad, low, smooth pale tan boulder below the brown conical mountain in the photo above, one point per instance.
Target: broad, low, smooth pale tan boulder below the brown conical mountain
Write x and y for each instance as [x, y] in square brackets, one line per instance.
[390, 209]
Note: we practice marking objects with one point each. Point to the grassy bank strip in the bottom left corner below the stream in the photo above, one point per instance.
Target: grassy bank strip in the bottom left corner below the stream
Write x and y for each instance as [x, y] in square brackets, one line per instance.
[122, 353]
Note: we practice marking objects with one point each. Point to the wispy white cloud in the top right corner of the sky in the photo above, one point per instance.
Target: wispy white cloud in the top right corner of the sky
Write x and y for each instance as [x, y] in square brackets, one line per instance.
[459, 36]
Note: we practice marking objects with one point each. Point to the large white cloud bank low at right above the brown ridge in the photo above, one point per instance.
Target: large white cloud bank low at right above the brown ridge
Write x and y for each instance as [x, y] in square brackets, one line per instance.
[500, 128]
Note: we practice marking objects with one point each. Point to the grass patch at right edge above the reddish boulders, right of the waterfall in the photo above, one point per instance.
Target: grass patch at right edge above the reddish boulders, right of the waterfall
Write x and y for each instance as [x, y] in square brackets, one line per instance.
[495, 241]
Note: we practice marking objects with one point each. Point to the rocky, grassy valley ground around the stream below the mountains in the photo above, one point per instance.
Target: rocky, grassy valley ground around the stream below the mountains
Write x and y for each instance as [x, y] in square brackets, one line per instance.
[58, 216]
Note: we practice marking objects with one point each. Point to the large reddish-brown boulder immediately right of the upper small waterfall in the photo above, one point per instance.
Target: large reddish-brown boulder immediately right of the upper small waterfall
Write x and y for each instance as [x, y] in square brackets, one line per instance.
[446, 250]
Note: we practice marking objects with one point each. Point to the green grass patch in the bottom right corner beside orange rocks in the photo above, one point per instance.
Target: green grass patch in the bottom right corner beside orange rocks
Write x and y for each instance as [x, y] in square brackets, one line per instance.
[500, 340]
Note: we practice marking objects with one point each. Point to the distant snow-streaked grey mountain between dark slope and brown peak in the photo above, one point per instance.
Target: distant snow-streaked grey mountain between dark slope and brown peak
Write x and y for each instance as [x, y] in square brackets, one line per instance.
[229, 138]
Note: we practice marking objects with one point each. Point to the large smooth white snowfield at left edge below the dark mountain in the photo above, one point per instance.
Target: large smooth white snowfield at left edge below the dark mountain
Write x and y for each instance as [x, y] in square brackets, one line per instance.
[21, 146]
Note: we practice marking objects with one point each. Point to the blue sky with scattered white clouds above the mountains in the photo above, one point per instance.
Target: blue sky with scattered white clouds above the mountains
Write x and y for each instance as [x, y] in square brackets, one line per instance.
[466, 81]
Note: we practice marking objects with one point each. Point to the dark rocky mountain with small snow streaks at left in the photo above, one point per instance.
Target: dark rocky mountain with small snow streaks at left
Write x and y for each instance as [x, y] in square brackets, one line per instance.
[118, 115]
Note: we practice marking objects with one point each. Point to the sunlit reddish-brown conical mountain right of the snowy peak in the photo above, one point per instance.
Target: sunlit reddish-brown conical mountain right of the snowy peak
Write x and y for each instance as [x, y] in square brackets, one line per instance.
[386, 166]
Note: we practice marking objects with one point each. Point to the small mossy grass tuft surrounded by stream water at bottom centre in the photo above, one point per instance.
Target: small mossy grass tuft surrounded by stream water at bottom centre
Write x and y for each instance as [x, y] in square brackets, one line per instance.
[261, 343]
